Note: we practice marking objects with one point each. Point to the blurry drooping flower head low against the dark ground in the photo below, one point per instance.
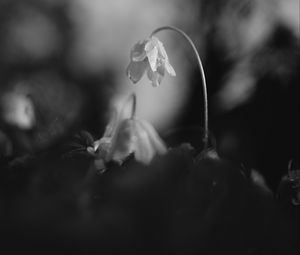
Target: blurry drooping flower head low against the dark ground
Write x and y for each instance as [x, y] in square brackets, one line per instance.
[125, 137]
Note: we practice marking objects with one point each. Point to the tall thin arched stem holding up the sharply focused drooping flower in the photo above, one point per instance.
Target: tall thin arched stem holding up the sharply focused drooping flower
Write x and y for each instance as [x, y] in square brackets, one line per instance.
[204, 87]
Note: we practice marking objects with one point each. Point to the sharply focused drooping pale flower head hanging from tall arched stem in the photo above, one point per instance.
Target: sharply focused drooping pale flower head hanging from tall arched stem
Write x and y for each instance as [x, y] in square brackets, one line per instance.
[149, 55]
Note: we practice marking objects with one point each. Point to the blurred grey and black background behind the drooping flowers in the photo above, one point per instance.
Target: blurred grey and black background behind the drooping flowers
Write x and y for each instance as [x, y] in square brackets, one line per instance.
[62, 69]
